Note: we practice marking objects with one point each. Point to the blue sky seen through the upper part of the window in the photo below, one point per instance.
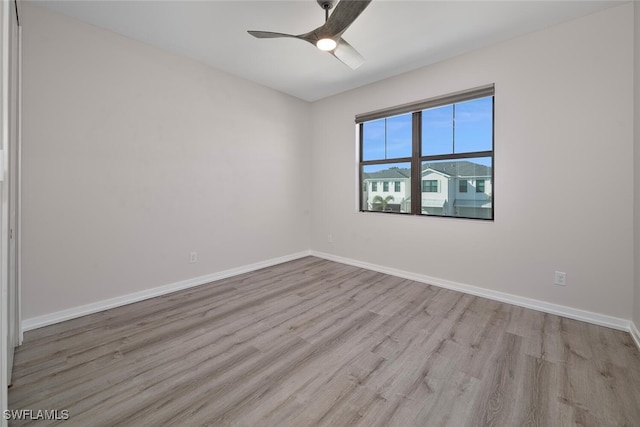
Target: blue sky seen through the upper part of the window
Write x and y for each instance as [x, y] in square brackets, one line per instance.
[463, 127]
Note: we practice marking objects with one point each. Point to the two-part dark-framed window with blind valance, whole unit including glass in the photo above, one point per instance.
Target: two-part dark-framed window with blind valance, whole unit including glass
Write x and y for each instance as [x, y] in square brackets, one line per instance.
[432, 146]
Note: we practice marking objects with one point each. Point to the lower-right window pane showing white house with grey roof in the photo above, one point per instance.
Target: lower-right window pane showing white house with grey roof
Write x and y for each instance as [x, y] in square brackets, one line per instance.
[459, 188]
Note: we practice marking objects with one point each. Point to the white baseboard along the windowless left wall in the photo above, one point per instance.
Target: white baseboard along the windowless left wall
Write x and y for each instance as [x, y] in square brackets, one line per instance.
[72, 313]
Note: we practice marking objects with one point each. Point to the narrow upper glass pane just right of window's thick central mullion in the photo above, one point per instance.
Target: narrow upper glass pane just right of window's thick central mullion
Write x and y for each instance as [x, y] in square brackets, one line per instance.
[437, 130]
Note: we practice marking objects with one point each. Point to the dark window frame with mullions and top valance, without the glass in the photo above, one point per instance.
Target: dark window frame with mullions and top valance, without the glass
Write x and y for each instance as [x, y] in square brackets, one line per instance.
[417, 159]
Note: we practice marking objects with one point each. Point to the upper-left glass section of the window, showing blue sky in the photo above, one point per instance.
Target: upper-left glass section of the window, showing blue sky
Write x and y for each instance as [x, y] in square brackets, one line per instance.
[388, 138]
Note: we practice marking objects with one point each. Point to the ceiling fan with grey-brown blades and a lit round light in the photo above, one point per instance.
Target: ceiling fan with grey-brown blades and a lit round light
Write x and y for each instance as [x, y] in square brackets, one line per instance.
[328, 37]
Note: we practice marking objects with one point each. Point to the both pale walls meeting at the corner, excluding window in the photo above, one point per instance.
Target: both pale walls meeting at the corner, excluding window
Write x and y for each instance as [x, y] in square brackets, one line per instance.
[134, 157]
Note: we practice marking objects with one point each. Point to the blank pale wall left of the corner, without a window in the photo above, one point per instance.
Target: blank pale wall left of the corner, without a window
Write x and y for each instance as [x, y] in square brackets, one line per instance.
[134, 157]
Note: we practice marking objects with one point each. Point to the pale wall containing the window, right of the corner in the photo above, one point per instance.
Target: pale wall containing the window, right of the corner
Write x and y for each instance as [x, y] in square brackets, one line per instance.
[563, 114]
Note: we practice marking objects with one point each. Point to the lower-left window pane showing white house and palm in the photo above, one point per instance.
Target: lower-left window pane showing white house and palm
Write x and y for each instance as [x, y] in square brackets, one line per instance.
[384, 198]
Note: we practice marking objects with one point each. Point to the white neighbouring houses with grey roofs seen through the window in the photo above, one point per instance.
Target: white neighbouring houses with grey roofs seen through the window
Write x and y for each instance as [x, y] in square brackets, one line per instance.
[449, 188]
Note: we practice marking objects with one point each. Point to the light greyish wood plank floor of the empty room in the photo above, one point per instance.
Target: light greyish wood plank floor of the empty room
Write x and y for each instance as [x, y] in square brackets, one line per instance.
[313, 342]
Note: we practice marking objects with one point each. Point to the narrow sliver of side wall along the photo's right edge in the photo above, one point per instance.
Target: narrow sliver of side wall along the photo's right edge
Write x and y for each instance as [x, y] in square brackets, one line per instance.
[636, 310]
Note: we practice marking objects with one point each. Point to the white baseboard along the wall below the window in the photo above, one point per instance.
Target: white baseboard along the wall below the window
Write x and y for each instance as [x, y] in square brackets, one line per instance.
[560, 310]
